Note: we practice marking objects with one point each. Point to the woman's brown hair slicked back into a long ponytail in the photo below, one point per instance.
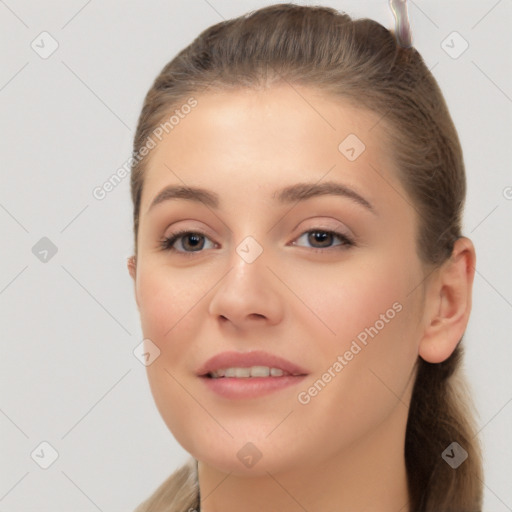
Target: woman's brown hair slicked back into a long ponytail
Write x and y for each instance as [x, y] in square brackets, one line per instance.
[360, 62]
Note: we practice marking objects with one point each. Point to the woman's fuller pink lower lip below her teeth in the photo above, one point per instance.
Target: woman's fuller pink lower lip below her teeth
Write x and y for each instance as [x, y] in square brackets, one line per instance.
[252, 387]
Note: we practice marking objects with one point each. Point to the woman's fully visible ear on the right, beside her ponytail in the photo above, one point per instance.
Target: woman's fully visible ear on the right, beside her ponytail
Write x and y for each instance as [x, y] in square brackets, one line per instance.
[449, 303]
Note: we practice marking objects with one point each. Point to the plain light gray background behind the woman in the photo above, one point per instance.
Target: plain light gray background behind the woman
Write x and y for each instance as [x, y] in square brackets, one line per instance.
[69, 326]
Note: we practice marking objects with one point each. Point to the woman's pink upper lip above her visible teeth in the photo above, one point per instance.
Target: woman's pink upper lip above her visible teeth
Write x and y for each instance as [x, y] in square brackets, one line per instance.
[246, 360]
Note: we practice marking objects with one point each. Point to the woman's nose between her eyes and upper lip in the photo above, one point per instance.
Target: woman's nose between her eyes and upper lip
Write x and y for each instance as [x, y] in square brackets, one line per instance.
[248, 295]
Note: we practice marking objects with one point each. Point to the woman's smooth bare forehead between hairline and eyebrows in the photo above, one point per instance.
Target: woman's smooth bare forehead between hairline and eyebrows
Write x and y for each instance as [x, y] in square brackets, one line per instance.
[257, 139]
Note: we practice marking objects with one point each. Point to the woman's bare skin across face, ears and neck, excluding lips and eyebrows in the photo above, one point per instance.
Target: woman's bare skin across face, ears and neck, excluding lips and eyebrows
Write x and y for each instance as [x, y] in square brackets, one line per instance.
[342, 451]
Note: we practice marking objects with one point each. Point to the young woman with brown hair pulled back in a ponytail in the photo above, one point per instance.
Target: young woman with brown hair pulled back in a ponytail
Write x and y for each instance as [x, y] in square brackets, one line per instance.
[300, 272]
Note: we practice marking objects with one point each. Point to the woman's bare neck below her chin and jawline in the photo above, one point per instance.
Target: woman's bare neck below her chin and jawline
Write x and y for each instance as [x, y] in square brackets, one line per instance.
[367, 476]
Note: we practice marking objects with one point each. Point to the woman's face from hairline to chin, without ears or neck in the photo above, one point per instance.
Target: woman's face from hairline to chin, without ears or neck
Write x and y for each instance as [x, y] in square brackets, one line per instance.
[301, 247]
